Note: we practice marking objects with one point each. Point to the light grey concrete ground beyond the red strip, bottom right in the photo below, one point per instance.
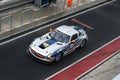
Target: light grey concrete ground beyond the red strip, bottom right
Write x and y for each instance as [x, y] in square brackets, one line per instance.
[106, 71]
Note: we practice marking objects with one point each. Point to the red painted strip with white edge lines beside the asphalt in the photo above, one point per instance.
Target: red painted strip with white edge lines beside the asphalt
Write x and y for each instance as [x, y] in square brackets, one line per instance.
[89, 62]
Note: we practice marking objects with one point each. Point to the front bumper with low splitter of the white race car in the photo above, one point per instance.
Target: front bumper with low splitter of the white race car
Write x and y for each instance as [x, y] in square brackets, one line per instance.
[41, 58]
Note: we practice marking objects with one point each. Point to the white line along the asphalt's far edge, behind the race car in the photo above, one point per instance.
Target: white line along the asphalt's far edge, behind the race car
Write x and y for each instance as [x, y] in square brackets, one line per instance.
[56, 22]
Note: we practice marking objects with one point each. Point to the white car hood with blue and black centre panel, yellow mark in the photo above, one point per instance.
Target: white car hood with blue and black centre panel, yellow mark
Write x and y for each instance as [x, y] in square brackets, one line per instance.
[46, 46]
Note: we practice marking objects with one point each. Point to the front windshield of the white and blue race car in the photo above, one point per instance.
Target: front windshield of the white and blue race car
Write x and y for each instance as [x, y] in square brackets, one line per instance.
[59, 36]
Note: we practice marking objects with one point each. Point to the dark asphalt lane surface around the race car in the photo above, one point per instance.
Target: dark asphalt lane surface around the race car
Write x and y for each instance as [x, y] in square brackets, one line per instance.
[16, 65]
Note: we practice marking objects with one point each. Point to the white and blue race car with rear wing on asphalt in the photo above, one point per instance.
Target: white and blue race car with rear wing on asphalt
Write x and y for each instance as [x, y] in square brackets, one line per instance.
[59, 42]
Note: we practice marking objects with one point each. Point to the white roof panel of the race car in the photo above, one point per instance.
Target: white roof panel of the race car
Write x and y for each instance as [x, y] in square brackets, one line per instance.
[69, 30]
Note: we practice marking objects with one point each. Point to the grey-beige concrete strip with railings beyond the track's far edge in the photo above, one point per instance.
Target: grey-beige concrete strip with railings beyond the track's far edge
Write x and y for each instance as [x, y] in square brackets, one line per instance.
[26, 17]
